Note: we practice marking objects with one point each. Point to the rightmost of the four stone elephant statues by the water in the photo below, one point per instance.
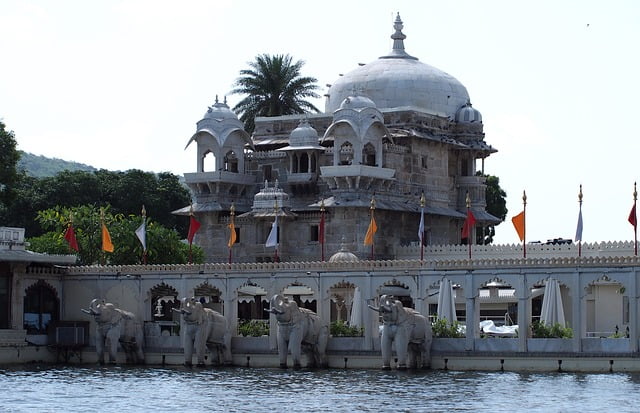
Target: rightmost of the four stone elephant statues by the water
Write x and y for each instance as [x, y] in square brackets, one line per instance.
[409, 330]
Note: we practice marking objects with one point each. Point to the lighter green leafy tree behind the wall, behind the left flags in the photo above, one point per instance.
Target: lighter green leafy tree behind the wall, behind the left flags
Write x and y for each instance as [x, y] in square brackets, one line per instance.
[164, 245]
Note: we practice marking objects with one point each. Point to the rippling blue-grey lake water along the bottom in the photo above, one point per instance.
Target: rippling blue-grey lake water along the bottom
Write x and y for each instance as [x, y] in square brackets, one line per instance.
[176, 389]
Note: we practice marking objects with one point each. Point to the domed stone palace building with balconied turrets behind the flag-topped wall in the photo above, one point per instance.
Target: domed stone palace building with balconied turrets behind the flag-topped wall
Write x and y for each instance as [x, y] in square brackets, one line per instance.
[392, 130]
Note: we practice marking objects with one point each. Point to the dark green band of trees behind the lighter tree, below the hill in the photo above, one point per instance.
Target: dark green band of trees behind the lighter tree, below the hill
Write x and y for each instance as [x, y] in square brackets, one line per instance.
[123, 192]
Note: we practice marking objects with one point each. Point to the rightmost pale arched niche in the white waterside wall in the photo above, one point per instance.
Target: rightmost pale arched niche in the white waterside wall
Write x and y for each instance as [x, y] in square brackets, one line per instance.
[606, 307]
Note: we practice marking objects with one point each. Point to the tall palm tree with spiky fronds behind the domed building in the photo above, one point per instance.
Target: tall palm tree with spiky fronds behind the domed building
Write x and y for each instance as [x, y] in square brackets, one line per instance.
[273, 87]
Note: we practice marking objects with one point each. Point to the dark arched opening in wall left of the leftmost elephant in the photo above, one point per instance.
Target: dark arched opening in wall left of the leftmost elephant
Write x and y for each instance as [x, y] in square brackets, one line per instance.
[41, 307]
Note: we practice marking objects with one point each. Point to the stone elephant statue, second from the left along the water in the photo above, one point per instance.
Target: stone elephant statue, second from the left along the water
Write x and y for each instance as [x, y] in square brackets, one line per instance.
[204, 328]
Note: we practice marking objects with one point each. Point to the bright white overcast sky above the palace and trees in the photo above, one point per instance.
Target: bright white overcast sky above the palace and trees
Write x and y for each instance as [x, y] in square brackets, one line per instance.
[121, 84]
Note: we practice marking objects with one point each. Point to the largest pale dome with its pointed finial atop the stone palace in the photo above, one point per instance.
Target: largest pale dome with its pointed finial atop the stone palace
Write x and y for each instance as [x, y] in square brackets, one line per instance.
[400, 80]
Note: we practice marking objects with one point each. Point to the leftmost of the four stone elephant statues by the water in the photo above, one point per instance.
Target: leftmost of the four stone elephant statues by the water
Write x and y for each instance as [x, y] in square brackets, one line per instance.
[116, 326]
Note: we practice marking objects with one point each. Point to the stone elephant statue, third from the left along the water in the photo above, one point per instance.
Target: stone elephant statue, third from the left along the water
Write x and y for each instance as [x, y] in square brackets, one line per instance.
[298, 327]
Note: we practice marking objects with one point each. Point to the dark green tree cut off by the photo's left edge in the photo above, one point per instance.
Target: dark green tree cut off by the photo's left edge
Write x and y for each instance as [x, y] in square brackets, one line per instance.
[9, 157]
